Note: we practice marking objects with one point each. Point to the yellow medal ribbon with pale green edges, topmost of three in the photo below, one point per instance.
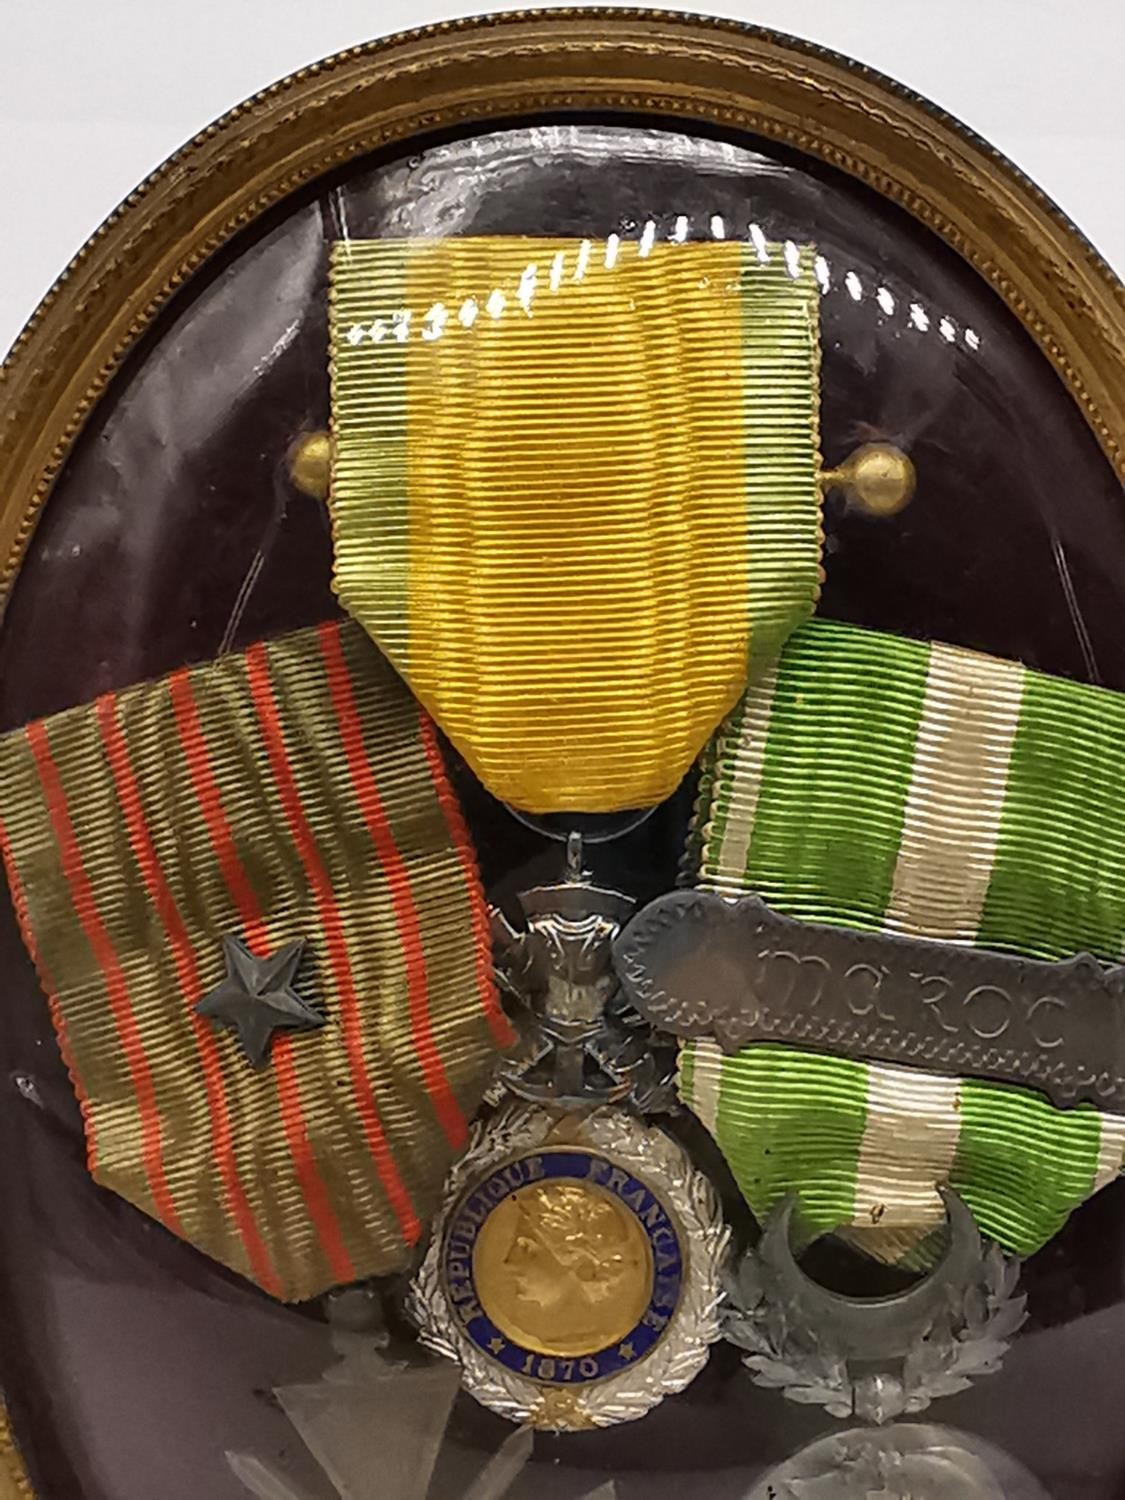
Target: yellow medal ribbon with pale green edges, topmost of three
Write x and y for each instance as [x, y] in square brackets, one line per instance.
[575, 493]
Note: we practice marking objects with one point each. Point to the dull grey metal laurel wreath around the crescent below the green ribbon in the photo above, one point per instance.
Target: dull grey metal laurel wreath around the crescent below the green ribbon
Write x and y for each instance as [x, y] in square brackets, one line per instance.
[788, 1355]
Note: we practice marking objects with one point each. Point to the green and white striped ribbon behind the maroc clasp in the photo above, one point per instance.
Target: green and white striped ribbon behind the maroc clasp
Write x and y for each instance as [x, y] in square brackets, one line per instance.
[886, 784]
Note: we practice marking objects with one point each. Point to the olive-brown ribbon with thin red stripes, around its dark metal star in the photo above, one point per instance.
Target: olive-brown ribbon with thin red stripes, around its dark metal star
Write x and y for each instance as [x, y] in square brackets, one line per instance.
[290, 793]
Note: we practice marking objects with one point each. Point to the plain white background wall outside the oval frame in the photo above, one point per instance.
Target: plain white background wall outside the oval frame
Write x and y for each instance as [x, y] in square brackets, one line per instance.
[95, 94]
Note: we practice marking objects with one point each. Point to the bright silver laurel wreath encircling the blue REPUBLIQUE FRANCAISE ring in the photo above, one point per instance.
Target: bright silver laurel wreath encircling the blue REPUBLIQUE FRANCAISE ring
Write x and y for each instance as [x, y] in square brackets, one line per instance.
[697, 1324]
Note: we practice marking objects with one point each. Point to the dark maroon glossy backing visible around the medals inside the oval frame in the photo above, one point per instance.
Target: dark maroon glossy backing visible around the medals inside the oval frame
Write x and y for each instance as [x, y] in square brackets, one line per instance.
[137, 1367]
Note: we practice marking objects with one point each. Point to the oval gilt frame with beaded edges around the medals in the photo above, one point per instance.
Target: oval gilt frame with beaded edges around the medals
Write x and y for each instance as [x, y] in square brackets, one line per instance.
[694, 71]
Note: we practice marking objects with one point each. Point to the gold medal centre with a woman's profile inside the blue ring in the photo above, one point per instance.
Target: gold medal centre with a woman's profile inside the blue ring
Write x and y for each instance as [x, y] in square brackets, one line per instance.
[563, 1268]
